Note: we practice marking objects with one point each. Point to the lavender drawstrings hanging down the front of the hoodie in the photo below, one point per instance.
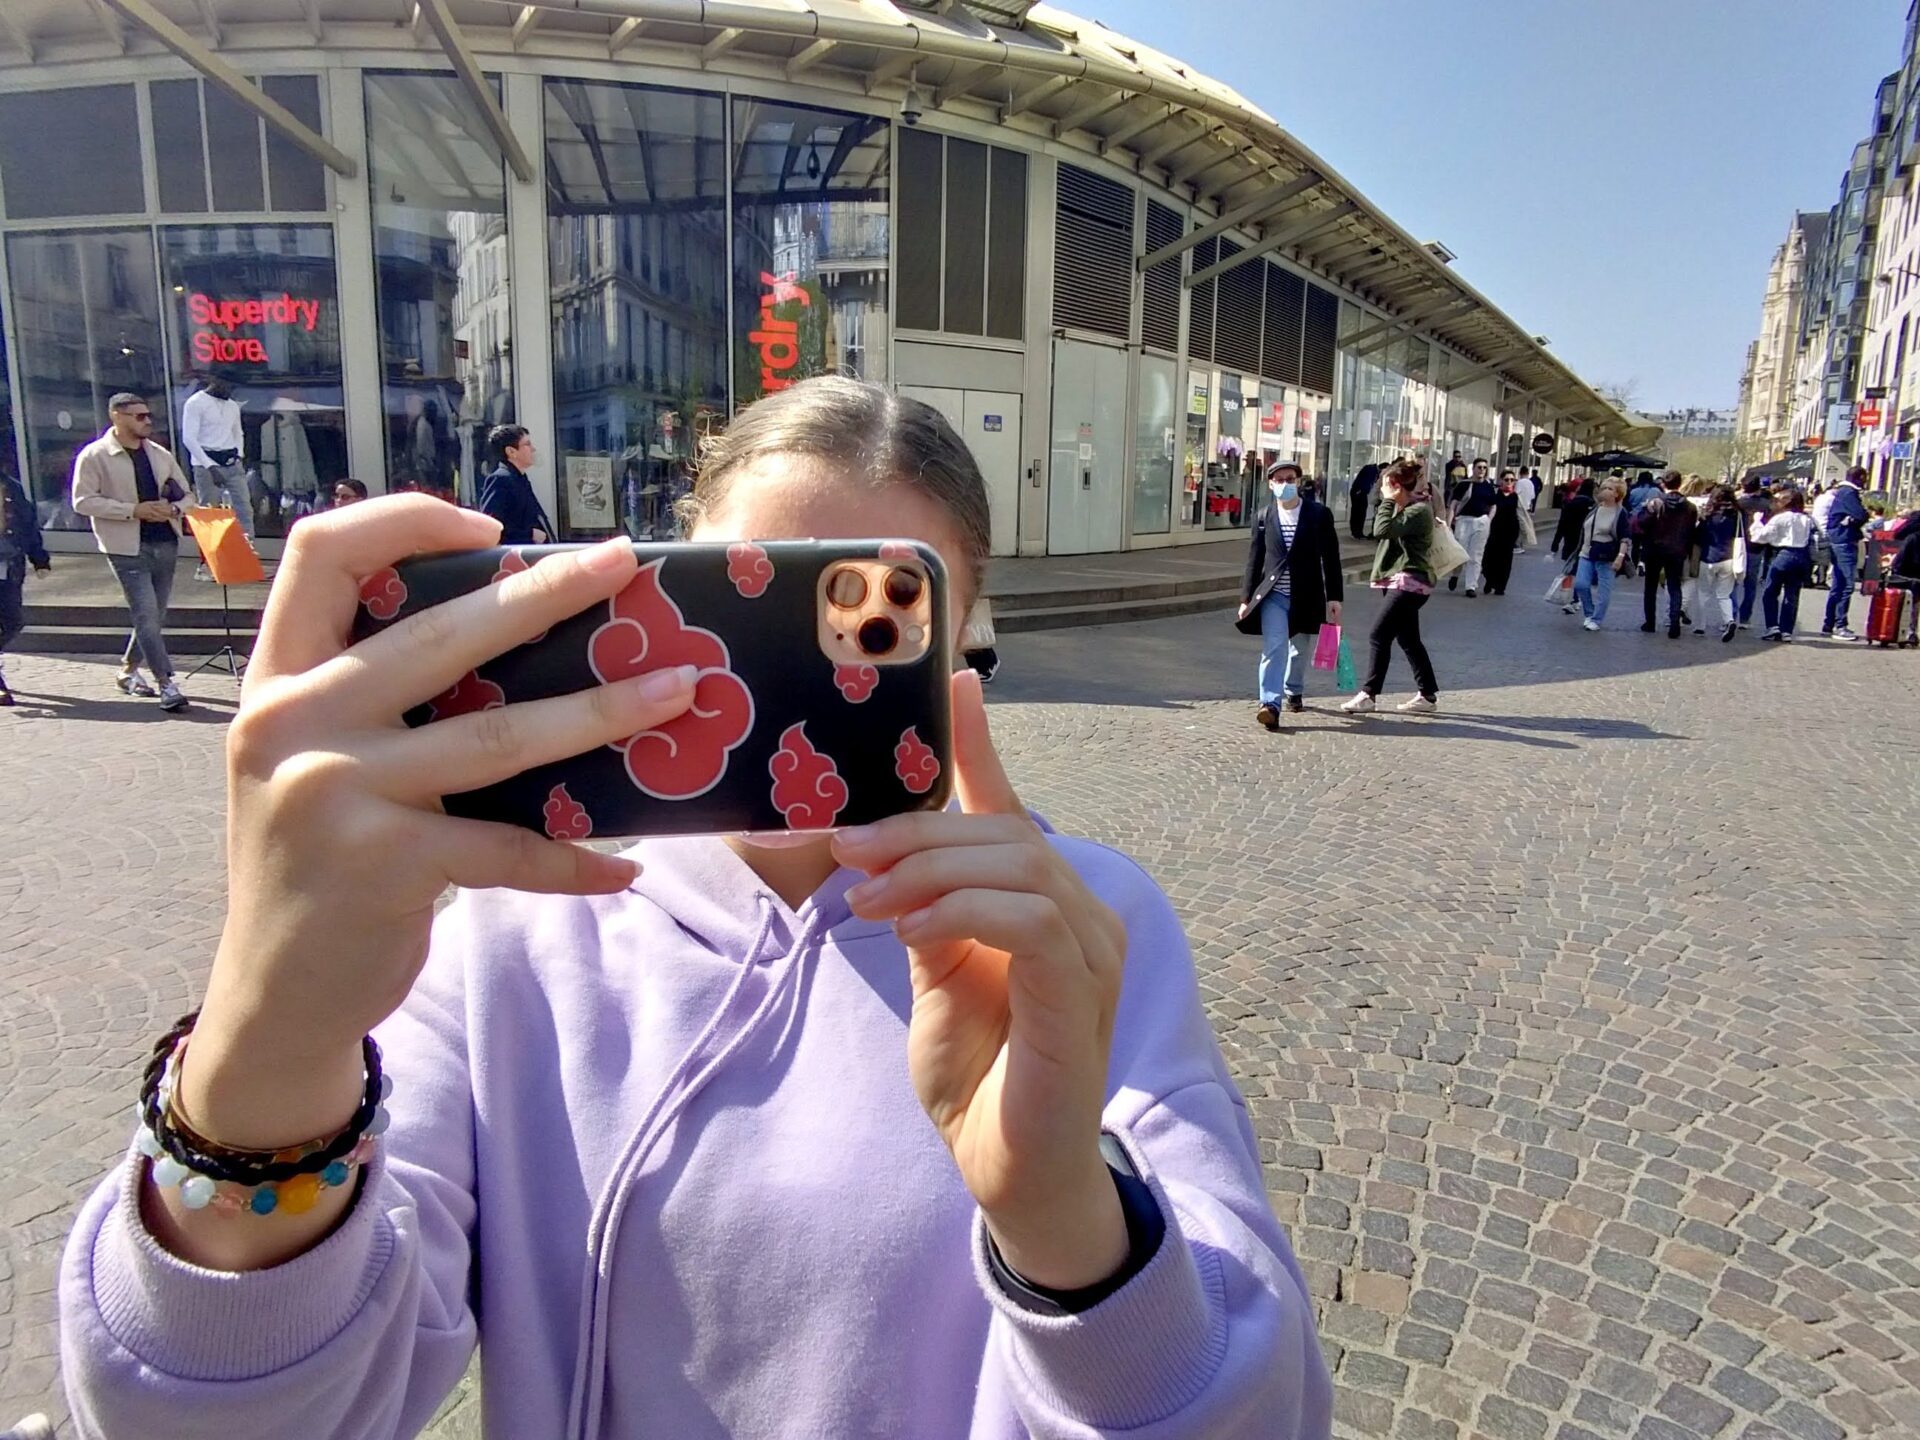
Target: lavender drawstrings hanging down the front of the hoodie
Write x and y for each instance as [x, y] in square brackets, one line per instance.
[677, 1092]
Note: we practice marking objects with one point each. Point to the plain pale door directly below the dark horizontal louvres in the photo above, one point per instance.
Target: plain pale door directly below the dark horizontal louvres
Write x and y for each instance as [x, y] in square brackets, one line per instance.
[1090, 450]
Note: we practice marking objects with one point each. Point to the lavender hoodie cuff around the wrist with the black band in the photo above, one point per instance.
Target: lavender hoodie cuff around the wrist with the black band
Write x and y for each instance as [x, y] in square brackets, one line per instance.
[1141, 1355]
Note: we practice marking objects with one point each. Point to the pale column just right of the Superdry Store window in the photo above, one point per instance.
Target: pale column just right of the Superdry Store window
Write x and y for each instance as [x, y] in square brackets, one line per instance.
[360, 324]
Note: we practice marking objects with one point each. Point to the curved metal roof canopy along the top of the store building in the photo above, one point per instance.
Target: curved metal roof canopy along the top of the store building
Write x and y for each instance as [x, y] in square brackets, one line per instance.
[1015, 62]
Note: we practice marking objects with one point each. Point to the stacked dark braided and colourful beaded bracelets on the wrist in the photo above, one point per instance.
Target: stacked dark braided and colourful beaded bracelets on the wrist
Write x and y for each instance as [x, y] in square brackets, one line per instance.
[260, 1182]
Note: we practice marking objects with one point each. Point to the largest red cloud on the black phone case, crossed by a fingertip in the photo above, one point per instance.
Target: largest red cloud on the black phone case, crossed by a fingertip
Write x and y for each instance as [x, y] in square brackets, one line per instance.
[648, 631]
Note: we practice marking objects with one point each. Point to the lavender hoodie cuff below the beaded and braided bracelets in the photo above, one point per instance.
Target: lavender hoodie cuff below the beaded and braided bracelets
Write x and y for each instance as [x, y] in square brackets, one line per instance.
[218, 1326]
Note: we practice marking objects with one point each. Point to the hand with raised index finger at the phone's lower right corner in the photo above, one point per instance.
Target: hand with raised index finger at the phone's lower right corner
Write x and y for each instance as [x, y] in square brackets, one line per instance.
[1017, 978]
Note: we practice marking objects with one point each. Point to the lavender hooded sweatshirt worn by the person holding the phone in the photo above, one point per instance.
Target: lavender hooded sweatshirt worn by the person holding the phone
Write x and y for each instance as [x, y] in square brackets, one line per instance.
[665, 1151]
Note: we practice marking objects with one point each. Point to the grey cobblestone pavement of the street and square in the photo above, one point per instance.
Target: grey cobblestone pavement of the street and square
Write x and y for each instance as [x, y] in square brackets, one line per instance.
[1581, 1022]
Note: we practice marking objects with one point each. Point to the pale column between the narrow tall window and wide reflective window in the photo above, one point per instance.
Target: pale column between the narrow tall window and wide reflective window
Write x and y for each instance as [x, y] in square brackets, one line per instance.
[527, 260]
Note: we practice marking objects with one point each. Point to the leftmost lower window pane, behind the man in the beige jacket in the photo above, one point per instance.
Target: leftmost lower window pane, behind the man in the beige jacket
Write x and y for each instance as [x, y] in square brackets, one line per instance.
[87, 325]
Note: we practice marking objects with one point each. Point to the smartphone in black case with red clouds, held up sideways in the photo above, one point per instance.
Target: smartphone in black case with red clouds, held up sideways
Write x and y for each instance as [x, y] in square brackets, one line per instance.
[823, 694]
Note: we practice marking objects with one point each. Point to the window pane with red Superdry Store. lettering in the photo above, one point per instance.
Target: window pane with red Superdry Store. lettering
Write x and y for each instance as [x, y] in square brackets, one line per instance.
[258, 306]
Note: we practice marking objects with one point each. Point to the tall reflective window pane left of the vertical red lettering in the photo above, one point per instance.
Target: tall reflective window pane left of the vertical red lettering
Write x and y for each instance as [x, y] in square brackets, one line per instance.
[636, 256]
